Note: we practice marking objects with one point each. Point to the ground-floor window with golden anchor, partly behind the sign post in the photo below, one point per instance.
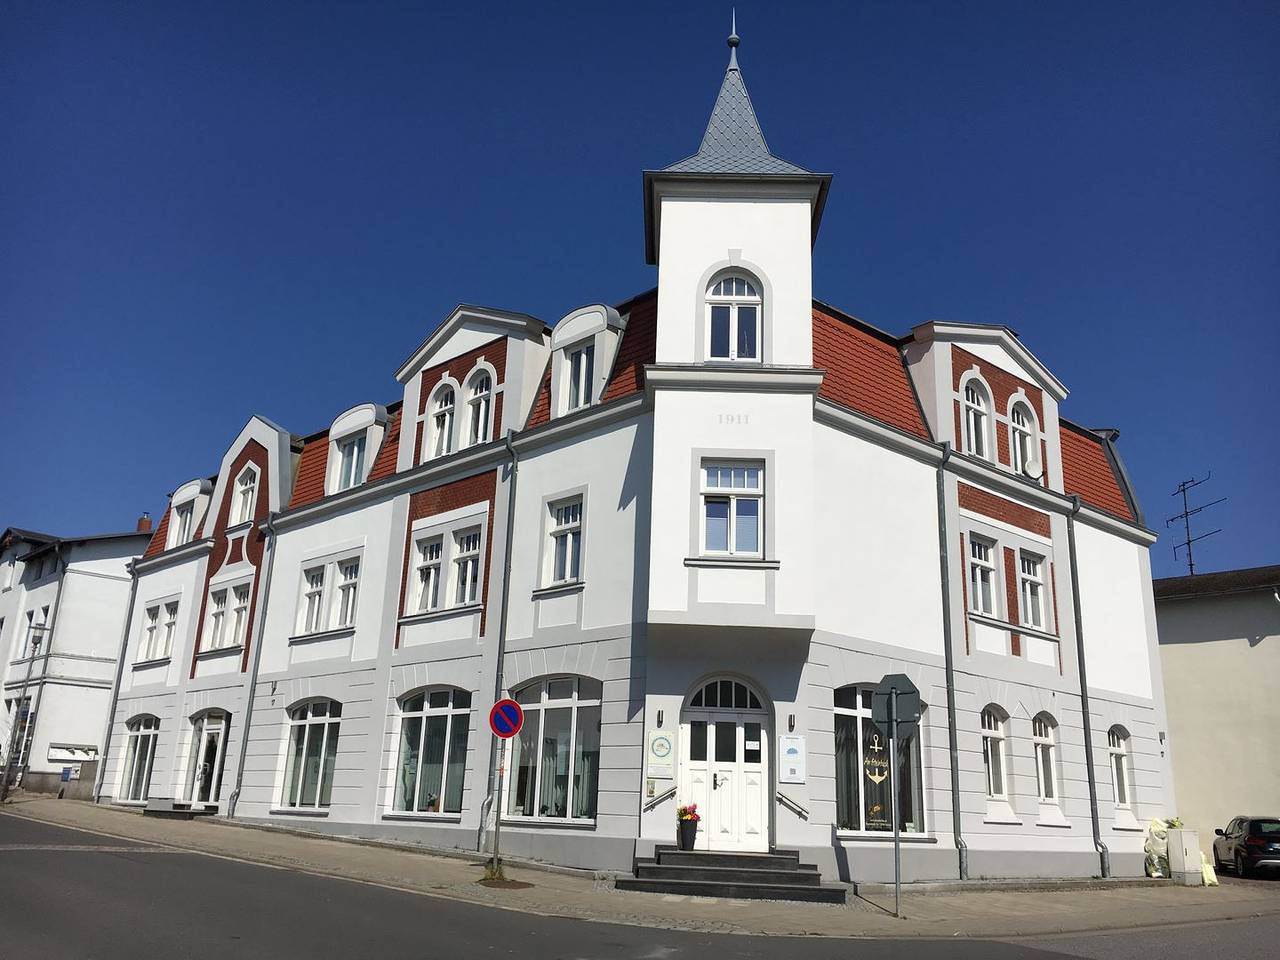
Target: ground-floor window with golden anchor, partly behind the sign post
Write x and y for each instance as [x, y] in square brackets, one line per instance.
[863, 767]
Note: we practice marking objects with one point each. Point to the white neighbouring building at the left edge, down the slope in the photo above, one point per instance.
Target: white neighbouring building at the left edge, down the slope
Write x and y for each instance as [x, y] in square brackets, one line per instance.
[63, 604]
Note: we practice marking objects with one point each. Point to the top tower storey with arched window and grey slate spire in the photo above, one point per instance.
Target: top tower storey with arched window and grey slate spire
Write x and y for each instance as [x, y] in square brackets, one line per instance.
[734, 212]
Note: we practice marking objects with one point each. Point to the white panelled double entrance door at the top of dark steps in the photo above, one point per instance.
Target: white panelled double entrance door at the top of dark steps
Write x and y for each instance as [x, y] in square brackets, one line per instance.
[725, 770]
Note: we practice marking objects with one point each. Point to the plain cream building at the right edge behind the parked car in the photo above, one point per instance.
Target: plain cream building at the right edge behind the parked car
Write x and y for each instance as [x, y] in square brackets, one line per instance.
[1220, 653]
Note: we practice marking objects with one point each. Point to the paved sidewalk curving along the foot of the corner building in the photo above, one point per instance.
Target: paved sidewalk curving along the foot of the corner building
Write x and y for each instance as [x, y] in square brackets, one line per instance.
[988, 915]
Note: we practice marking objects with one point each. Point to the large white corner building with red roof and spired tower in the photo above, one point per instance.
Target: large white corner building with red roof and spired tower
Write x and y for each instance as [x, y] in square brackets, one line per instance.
[710, 516]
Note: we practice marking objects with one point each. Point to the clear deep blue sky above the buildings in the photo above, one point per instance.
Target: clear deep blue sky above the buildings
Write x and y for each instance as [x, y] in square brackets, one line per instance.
[211, 211]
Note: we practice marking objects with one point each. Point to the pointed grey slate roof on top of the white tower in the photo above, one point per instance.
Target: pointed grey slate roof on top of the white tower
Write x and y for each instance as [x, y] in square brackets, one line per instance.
[733, 152]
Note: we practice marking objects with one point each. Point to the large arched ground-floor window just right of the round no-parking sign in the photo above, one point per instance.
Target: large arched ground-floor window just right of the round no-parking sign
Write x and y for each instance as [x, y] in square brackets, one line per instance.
[556, 758]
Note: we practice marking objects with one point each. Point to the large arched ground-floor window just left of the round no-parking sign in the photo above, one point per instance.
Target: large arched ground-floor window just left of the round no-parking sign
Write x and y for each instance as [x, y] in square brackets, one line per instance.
[433, 753]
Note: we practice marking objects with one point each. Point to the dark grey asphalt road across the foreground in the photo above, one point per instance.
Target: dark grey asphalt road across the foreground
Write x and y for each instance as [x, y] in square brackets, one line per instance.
[68, 894]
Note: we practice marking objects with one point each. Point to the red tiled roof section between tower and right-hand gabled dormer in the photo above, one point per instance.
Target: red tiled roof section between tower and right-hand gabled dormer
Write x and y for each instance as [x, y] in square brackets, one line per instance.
[865, 373]
